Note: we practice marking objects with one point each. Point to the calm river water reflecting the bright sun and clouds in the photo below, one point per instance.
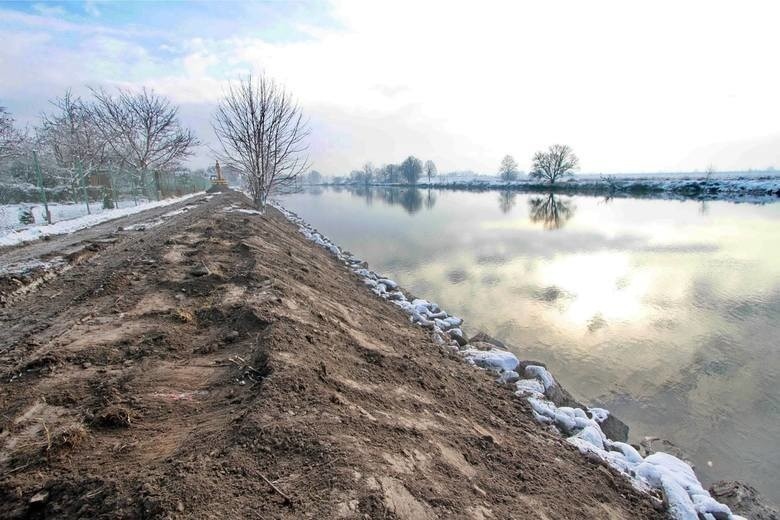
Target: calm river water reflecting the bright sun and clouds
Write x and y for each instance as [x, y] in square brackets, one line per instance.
[665, 312]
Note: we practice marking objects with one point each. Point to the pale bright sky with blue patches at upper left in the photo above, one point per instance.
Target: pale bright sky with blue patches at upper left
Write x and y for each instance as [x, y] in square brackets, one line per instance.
[630, 86]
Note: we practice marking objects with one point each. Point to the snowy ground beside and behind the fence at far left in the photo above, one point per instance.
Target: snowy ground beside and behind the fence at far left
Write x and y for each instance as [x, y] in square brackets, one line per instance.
[66, 218]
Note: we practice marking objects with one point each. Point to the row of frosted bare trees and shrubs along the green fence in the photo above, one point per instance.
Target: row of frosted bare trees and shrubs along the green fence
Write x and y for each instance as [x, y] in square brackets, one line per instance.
[108, 145]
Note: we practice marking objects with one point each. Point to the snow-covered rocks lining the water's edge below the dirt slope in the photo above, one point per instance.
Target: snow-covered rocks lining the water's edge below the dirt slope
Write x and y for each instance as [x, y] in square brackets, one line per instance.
[684, 496]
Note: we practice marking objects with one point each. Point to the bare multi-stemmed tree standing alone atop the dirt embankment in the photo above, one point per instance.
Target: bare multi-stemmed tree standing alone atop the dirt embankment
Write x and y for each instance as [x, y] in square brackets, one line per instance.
[262, 133]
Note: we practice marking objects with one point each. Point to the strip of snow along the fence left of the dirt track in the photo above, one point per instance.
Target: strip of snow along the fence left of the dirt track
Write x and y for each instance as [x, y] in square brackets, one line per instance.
[34, 232]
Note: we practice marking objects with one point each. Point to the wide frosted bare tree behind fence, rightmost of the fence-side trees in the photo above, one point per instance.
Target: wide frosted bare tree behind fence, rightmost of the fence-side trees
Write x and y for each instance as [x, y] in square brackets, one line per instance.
[143, 129]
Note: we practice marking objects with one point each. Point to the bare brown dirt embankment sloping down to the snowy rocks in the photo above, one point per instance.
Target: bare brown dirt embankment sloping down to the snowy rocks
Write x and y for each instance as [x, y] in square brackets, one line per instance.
[221, 366]
